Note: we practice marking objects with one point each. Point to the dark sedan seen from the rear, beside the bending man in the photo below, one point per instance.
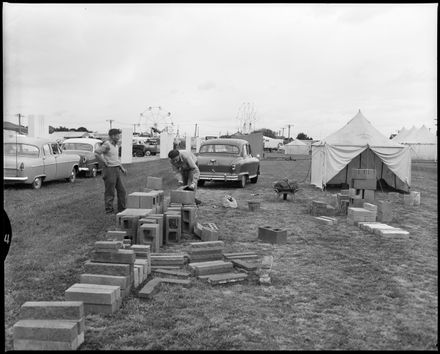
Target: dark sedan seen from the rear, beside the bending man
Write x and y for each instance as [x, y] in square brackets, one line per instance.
[227, 160]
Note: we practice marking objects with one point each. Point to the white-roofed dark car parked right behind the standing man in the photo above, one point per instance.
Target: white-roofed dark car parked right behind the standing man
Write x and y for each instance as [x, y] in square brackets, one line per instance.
[84, 147]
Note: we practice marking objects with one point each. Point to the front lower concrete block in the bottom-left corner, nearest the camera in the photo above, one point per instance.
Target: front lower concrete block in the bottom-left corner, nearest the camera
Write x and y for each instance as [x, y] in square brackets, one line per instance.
[46, 330]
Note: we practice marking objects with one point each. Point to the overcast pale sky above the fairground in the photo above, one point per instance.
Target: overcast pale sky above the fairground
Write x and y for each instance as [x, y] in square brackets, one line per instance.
[215, 65]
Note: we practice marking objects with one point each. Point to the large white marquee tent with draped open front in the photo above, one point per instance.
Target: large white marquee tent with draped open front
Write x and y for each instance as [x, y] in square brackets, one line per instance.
[359, 145]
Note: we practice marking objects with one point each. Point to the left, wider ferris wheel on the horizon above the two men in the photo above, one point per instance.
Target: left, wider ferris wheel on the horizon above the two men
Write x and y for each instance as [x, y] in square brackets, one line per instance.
[156, 120]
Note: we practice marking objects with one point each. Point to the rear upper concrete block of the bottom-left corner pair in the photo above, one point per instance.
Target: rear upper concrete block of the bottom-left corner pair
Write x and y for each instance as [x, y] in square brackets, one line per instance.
[52, 310]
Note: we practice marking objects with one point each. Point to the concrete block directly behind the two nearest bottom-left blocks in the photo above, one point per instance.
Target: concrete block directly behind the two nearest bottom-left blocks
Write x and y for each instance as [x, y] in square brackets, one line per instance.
[96, 298]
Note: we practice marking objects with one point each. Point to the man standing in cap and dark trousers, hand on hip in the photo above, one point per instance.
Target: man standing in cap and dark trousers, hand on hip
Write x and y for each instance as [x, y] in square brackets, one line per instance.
[108, 155]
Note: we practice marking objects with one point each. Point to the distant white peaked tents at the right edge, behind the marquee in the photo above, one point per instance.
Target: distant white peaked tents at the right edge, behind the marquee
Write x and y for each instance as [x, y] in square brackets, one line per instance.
[422, 143]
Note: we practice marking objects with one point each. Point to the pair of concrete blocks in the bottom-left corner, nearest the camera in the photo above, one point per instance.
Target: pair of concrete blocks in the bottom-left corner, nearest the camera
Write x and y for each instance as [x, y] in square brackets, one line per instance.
[49, 325]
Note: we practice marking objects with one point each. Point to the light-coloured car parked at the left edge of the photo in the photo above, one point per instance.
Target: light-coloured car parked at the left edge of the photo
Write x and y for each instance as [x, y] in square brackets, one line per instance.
[34, 160]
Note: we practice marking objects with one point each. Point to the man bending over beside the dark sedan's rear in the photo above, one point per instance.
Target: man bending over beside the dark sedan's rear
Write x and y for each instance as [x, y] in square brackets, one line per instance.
[184, 165]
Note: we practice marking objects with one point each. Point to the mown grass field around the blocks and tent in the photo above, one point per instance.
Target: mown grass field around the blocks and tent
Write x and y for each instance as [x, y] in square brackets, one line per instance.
[333, 287]
